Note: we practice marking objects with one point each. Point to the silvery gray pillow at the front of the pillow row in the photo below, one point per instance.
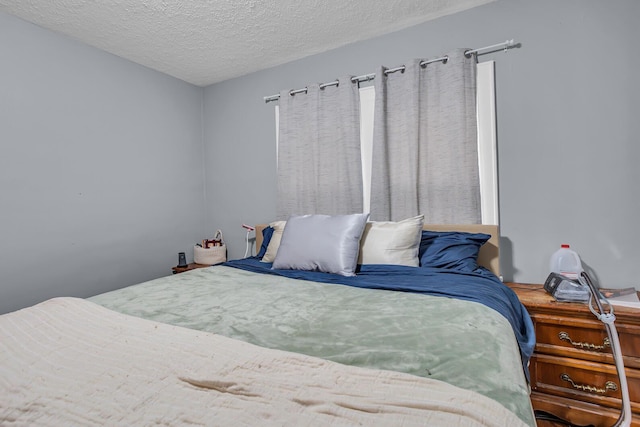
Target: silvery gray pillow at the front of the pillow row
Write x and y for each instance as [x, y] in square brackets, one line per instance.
[321, 243]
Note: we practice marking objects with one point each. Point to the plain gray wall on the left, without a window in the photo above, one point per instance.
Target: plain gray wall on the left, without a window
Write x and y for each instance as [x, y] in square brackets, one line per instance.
[101, 174]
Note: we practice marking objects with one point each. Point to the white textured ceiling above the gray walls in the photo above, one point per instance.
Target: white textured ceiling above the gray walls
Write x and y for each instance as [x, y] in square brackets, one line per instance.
[208, 41]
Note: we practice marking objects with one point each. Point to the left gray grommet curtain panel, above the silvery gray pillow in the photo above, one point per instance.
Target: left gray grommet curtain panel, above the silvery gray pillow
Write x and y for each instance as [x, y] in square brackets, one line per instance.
[319, 164]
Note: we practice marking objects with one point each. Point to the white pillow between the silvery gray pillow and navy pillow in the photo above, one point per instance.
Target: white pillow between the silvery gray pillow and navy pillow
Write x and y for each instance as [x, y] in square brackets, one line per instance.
[395, 243]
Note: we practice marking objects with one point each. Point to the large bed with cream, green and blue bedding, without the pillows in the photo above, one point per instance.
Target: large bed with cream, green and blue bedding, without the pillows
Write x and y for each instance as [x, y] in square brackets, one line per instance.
[242, 343]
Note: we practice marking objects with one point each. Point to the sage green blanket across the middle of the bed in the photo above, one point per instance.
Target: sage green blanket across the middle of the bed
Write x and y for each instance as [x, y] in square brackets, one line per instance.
[462, 343]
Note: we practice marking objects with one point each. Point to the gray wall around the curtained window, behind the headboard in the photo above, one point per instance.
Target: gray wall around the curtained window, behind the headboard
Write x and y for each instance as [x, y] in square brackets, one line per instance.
[567, 128]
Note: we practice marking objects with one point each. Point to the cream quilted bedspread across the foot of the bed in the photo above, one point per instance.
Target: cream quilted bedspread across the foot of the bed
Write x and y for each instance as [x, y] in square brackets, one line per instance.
[69, 361]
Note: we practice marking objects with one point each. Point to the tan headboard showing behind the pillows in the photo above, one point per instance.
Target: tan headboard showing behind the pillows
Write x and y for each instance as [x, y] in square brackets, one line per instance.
[489, 256]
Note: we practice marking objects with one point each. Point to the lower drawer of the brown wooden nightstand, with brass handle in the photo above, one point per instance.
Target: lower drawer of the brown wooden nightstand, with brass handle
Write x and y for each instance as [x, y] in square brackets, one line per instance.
[582, 380]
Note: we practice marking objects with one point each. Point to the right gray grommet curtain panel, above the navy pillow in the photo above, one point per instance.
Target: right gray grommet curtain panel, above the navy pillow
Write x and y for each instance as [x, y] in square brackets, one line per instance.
[425, 158]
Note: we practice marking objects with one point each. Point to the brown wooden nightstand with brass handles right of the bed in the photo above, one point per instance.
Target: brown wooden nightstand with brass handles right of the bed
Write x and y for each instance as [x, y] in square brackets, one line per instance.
[573, 375]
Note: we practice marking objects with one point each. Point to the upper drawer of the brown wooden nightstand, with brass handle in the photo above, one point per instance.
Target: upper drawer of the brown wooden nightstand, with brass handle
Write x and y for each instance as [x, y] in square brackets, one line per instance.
[585, 339]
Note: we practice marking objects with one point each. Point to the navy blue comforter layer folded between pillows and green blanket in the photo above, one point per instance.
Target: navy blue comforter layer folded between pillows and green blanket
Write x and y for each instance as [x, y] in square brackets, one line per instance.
[480, 286]
